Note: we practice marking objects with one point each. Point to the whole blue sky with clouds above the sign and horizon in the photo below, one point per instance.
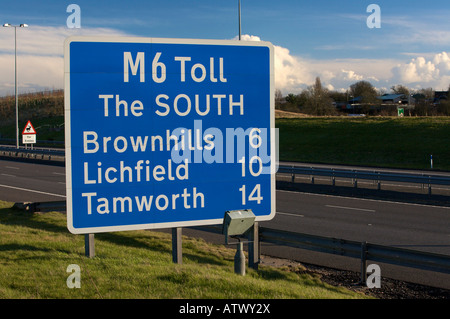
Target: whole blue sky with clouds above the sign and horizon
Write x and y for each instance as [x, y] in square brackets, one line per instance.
[342, 42]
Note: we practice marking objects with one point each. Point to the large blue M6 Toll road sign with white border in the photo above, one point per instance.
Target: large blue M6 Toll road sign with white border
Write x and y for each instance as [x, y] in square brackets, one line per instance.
[165, 133]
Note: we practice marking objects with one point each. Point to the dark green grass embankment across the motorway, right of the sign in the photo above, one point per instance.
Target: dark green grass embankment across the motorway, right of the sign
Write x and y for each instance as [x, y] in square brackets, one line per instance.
[371, 141]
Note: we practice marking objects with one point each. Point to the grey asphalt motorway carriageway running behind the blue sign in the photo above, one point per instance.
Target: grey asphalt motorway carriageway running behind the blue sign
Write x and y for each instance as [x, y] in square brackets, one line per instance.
[411, 226]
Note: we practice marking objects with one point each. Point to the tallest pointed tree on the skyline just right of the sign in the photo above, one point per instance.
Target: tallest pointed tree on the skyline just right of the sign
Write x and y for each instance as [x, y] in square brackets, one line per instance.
[318, 101]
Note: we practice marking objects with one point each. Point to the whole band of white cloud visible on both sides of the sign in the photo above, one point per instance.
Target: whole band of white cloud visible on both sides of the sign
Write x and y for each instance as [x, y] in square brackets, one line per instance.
[40, 64]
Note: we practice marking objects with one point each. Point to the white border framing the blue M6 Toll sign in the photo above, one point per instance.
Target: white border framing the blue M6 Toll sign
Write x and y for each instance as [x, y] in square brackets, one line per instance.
[68, 147]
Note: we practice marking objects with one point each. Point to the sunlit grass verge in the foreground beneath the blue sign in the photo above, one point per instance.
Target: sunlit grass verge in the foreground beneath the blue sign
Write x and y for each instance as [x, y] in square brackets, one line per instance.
[36, 249]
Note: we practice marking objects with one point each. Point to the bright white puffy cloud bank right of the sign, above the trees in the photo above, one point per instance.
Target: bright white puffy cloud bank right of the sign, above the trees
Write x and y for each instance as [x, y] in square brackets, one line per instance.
[293, 73]
